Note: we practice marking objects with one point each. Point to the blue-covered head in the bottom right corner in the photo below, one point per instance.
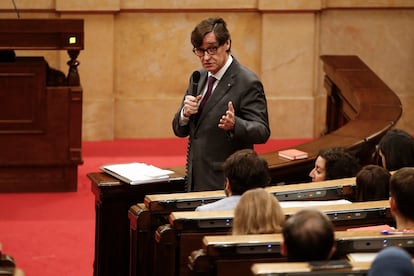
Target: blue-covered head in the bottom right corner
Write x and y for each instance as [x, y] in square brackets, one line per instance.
[392, 261]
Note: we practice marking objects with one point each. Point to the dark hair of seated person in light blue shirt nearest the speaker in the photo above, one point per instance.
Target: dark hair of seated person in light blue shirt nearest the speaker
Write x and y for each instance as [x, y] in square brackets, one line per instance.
[245, 170]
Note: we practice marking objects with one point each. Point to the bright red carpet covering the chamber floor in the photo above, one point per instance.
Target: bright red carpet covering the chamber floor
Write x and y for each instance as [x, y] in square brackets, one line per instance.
[53, 233]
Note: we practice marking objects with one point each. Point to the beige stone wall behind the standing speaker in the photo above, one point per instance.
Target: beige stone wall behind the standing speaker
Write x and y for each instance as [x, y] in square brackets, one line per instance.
[137, 58]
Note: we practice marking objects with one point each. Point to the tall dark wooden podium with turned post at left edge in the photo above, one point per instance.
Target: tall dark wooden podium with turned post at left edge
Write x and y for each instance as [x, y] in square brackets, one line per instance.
[41, 108]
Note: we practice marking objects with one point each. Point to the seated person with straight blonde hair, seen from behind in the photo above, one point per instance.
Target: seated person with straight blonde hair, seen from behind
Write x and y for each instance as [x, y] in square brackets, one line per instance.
[258, 212]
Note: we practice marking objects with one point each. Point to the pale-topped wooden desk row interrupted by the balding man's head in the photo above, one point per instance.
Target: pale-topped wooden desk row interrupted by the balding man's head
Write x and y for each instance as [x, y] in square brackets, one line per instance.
[235, 254]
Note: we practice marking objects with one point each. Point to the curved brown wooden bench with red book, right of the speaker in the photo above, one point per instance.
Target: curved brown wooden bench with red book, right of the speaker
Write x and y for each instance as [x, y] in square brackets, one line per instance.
[361, 108]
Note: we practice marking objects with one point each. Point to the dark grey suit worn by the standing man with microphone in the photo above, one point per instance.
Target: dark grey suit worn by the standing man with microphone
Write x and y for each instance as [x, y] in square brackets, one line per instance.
[209, 145]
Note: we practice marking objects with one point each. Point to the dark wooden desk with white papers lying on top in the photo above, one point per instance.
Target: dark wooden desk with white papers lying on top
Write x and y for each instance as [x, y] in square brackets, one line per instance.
[112, 202]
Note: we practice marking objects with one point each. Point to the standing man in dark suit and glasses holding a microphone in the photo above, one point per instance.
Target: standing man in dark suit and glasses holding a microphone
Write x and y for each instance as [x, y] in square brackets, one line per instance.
[235, 115]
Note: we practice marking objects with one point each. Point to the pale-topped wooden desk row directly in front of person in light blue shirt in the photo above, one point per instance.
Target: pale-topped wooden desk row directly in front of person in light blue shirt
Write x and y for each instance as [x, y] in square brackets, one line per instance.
[145, 221]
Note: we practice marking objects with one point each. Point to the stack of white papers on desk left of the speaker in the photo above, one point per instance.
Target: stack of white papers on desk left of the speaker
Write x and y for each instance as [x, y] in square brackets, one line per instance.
[136, 173]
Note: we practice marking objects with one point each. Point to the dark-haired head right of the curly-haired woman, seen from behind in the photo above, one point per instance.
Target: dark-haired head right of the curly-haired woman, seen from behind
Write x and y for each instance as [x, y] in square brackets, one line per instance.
[372, 183]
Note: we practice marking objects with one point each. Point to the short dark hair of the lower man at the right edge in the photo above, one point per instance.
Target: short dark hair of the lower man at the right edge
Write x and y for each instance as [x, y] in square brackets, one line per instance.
[402, 190]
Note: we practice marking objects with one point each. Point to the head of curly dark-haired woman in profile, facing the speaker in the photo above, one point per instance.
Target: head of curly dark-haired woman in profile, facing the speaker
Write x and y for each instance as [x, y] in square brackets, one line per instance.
[334, 163]
